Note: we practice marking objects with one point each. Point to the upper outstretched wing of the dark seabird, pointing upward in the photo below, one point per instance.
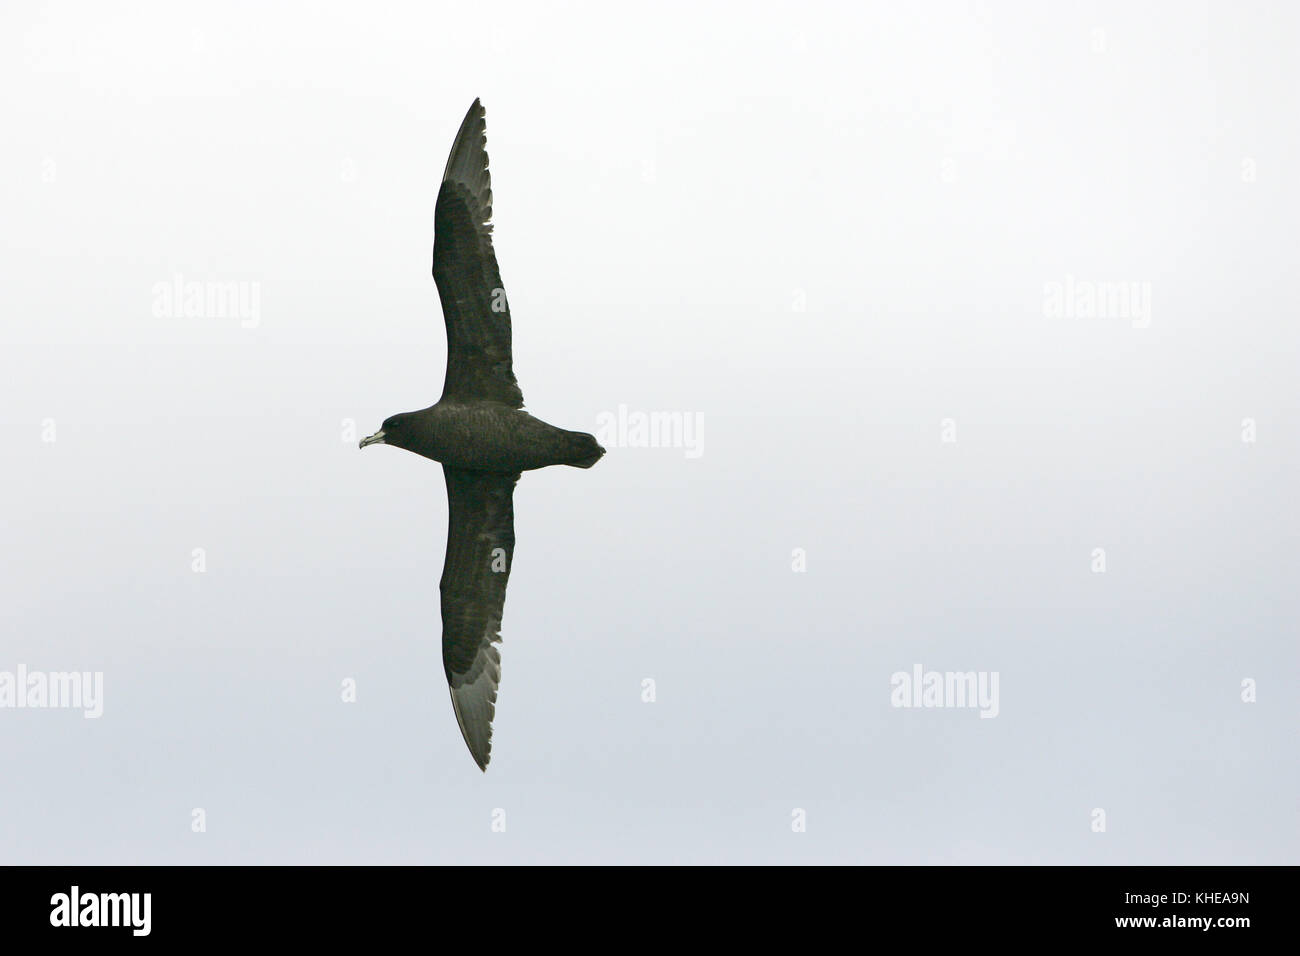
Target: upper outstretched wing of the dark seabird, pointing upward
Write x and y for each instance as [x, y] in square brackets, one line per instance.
[465, 267]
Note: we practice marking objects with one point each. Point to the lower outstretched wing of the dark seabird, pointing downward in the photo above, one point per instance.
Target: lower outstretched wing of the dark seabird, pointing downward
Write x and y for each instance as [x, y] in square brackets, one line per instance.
[480, 551]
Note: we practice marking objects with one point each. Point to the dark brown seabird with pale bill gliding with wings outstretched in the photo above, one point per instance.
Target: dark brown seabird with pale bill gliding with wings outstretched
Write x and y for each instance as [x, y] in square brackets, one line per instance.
[480, 432]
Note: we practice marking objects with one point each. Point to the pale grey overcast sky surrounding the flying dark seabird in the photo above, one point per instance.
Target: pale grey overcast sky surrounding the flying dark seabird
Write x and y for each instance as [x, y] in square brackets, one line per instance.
[818, 230]
